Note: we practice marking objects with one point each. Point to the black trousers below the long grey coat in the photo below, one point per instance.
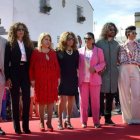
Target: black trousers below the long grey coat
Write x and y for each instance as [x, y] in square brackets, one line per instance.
[105, 109]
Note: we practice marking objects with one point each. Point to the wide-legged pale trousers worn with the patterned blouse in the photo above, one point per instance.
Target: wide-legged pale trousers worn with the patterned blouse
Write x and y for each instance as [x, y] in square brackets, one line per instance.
[129, 92]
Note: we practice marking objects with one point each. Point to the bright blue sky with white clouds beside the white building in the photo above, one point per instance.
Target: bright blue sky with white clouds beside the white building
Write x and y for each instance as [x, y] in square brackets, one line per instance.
[121, 12]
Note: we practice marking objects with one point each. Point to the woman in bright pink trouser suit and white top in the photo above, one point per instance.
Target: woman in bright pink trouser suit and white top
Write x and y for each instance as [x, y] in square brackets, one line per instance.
[91, 63]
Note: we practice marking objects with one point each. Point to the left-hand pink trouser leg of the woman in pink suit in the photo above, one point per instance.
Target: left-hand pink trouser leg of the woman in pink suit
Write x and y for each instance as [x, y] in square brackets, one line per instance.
[84, 97]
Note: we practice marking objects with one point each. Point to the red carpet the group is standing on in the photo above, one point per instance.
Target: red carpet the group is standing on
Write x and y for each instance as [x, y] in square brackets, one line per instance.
[118, 132]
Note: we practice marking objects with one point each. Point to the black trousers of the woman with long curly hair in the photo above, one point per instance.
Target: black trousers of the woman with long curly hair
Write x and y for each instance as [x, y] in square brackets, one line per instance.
[20, 82]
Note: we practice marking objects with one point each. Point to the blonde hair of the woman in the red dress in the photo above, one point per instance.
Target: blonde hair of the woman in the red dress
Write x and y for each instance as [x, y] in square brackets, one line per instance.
[41, 37]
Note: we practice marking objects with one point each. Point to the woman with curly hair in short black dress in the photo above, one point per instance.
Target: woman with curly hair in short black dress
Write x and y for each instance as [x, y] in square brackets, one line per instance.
[68, 58]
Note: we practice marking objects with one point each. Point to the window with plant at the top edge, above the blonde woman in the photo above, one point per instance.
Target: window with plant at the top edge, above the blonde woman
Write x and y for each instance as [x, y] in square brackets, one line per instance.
[45, 6]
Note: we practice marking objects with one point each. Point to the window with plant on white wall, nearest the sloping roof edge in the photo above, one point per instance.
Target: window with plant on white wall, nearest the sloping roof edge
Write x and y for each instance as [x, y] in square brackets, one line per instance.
[80, 17]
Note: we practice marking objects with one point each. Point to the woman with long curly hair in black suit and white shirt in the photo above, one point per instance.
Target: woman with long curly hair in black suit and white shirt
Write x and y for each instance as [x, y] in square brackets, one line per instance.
[17, 57]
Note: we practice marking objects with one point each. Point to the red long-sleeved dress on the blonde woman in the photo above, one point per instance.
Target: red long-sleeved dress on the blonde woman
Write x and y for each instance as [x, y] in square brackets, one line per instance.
[45, 73]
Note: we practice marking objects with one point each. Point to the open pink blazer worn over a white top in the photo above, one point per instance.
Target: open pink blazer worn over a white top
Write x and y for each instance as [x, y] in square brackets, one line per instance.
[97, 61]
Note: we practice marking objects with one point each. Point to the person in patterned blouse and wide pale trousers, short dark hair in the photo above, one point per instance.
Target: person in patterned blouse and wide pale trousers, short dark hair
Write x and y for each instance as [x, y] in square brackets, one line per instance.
[129, 77]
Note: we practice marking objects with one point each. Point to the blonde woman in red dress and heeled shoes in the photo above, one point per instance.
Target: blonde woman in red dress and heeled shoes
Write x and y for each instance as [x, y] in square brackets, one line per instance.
[44, 76]
